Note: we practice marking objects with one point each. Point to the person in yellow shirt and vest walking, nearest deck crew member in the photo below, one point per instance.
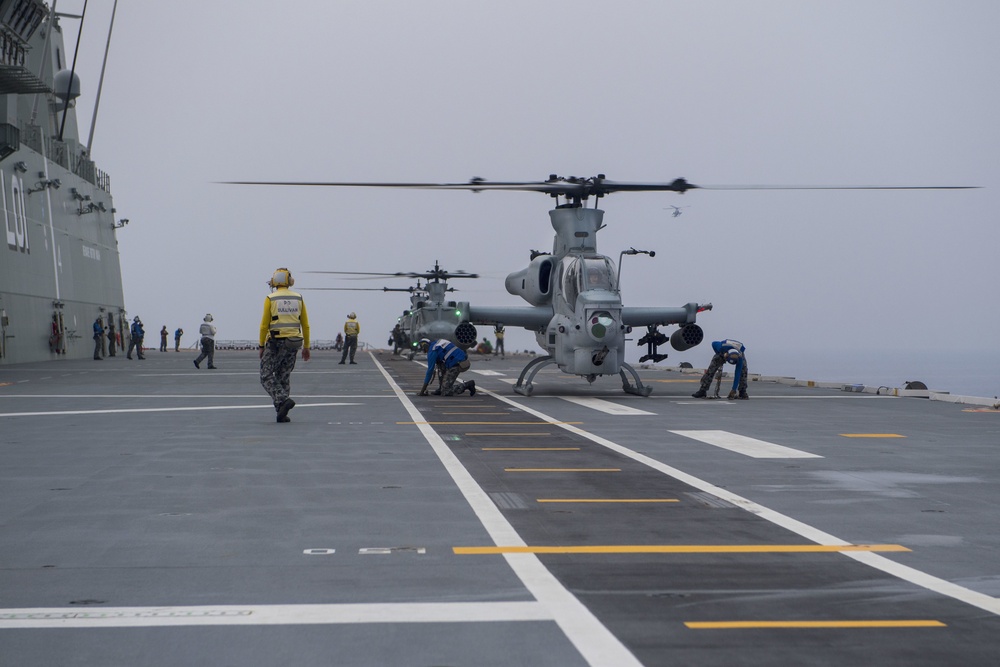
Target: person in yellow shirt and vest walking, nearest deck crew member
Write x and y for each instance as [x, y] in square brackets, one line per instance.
[284, 328]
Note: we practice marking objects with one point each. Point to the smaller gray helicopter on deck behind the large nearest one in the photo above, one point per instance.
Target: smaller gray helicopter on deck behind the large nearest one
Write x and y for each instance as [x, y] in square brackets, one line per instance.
[431, 314]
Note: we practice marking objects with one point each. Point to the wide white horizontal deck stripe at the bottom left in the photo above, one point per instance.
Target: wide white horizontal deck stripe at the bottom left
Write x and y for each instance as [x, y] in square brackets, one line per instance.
[302, 614]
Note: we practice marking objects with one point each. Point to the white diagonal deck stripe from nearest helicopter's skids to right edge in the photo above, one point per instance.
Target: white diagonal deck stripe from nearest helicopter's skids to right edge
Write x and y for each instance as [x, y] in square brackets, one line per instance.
[877, 561]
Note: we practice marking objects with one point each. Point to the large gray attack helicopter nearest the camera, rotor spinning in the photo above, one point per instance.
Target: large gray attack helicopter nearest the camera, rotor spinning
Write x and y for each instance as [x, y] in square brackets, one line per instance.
[575, 304]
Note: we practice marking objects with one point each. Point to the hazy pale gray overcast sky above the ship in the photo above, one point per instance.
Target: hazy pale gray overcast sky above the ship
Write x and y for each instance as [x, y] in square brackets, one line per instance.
[875, 93]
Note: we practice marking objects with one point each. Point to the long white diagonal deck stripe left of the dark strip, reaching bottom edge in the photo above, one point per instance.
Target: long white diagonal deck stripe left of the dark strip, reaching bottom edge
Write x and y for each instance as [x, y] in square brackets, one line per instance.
[596, 643]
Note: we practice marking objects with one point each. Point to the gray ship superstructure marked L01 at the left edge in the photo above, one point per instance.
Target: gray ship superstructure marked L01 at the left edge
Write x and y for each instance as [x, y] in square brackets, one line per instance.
[60, 268]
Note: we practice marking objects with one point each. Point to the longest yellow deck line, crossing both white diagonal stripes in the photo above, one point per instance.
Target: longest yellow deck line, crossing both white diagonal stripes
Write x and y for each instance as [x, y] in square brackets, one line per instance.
[680, 549]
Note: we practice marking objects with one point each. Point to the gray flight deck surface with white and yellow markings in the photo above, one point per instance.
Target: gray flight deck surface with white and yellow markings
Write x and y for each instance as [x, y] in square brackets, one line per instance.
[155, 514]
